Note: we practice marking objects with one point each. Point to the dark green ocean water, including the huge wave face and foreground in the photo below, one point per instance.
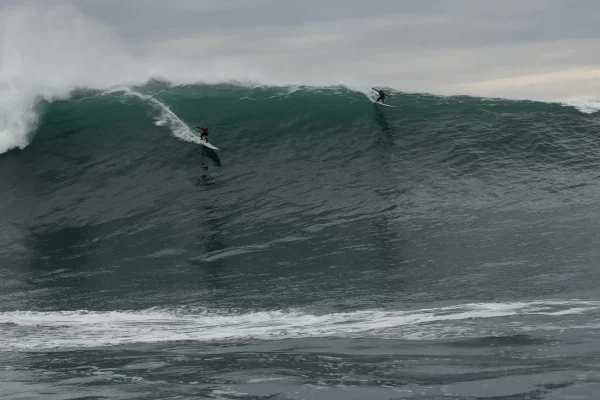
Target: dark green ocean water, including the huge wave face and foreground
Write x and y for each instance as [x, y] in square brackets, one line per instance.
[447, 248]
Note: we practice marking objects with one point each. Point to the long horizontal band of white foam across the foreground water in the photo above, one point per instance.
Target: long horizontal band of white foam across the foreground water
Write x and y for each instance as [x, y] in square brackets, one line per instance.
[28, 330]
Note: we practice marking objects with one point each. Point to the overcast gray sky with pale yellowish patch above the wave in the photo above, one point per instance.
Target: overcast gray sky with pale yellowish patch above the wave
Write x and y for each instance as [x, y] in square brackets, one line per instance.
[540, 49]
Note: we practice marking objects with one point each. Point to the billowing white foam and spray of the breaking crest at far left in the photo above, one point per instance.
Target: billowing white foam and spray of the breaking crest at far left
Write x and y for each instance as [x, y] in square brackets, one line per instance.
[49, 50]
